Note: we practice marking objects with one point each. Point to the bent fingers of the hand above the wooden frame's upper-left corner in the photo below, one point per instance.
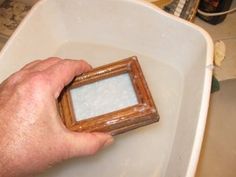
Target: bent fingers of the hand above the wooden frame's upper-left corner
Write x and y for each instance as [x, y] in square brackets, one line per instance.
[59, 71]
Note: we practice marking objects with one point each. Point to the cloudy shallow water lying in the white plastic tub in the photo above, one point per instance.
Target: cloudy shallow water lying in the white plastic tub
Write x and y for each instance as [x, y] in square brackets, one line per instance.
[141, 152]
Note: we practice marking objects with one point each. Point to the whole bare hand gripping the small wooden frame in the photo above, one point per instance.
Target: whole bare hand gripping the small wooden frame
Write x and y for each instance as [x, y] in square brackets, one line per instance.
[32, 136]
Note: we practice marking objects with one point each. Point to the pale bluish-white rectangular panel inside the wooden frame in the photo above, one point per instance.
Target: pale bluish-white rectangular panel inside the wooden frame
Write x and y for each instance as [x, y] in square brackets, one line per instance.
[103, 96]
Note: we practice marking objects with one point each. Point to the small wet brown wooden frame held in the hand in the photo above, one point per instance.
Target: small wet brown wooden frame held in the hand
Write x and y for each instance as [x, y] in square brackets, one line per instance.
[118, 121]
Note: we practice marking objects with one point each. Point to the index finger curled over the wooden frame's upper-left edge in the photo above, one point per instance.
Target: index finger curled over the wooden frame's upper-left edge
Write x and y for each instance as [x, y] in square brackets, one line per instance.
[62, 73]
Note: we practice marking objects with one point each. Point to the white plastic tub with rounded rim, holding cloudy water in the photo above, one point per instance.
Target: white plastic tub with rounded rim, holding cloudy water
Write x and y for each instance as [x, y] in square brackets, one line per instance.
[176, 58]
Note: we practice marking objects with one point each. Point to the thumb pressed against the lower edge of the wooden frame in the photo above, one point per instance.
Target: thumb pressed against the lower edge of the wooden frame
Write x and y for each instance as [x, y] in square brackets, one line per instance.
[81, 144]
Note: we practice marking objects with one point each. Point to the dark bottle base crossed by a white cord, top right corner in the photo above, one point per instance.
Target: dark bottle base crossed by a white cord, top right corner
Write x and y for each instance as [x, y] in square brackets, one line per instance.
[213, 6]
